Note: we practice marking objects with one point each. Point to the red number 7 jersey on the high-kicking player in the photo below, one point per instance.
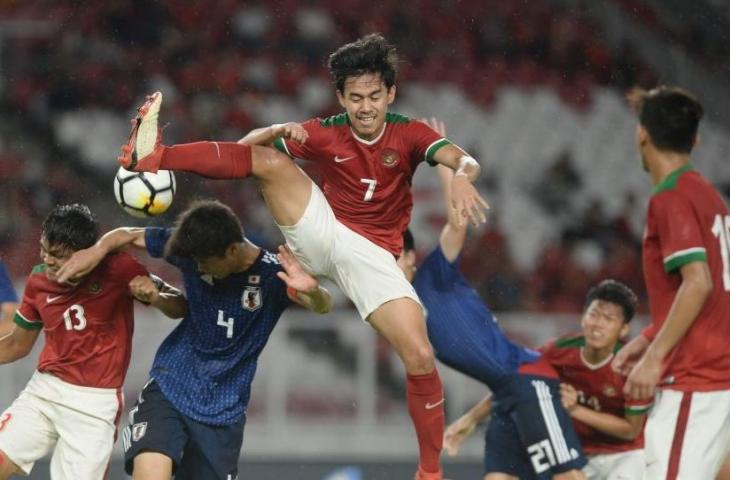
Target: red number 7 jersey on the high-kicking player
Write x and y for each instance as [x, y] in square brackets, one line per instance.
[368, 183]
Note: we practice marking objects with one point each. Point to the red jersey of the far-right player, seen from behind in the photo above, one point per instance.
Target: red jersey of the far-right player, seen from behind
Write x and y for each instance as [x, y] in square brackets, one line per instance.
[688, 221]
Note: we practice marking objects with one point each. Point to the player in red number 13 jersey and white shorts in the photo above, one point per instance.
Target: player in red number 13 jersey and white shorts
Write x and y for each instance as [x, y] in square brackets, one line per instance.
[73, 402]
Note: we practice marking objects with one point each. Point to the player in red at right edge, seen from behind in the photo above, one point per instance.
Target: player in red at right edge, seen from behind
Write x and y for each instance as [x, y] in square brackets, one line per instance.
[686, 264]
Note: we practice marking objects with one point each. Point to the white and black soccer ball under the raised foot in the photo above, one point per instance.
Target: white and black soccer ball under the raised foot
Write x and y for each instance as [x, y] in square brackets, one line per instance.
[144, 194]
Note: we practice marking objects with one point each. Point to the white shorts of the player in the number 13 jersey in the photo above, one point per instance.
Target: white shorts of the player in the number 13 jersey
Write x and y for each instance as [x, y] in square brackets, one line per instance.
[80, 422]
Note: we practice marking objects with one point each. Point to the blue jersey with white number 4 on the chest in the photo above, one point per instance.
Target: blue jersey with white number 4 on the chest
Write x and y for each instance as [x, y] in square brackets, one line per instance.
[206, 365]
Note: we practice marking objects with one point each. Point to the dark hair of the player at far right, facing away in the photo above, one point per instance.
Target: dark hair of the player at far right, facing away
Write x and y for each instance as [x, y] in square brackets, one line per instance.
[671, 115]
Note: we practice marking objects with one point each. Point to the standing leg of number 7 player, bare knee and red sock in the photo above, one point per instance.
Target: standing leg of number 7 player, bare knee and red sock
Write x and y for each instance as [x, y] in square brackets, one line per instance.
[402, 323]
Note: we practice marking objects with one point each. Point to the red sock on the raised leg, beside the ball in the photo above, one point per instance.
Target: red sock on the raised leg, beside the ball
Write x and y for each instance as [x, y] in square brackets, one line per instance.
[209, 159]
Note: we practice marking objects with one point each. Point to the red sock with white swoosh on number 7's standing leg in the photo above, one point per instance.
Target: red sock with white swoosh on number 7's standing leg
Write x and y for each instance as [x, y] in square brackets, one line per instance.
[425, 397]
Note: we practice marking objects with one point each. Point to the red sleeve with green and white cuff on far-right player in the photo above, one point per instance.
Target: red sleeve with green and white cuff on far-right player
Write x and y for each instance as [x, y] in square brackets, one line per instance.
[679, 231]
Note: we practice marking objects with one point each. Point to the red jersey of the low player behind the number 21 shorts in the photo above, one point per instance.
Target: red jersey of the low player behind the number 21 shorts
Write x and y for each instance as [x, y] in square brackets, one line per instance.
[599, 388]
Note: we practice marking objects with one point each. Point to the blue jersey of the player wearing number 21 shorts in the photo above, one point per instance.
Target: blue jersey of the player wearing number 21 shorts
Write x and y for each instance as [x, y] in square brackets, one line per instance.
[464, 333]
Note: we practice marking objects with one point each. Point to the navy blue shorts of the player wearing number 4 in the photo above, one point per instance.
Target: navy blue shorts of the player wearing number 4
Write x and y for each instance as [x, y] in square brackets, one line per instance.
[197, 450]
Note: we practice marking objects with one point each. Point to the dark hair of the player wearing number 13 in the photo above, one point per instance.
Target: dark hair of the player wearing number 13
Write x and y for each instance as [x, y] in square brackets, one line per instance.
[72, 226]
